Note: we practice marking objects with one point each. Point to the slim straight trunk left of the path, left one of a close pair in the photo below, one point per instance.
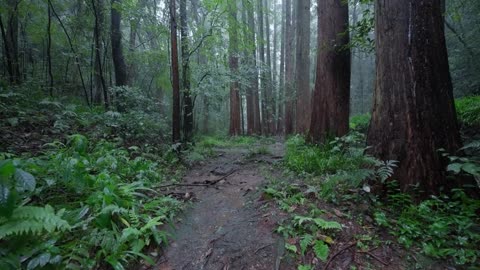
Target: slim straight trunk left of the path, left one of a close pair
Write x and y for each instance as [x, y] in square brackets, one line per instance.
[176, 120]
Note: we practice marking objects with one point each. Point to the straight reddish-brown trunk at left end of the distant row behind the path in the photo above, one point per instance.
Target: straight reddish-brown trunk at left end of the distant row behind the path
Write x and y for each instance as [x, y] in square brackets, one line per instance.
[235, 121]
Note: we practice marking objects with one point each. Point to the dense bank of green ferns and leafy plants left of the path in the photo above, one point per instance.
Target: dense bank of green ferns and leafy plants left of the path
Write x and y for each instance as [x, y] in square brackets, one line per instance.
[86, 198]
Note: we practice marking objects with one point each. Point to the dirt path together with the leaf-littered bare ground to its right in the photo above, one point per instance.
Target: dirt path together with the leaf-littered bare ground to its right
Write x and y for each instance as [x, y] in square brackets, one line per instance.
[231, 223]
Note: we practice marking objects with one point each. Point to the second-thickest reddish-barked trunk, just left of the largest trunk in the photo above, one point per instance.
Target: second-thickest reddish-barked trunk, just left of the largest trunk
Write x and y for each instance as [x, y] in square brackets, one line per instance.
[331, 100]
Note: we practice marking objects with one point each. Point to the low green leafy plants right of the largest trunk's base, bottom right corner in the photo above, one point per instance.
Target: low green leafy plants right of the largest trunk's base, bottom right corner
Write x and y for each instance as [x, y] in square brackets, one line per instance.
[444, 227]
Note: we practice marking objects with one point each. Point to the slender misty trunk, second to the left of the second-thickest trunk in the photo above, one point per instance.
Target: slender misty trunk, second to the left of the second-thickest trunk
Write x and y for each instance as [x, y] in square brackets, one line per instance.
[289, 70]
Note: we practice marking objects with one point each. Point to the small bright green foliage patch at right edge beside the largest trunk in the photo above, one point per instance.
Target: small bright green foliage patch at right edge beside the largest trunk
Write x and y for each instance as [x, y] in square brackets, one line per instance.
[468, 111]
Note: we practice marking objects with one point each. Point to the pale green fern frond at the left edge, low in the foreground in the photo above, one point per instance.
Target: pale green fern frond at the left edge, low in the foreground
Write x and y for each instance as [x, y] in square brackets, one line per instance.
[32, 220]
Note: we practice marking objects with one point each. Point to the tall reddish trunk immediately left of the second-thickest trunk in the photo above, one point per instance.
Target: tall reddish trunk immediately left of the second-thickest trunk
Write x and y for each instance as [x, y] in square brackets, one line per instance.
[303, 66]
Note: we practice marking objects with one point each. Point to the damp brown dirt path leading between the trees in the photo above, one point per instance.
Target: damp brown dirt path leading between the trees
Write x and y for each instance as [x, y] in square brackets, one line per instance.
[228, 227]
